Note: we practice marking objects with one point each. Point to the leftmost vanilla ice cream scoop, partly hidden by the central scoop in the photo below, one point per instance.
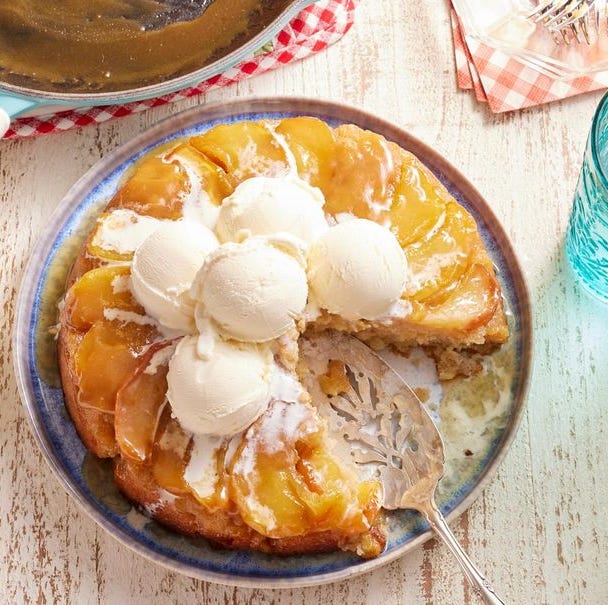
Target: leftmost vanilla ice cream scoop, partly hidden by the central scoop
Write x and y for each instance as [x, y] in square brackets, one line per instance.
[163, 269]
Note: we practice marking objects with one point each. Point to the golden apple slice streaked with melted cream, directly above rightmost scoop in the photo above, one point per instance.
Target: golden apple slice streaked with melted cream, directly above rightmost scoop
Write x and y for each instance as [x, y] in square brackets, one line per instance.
[365, 174]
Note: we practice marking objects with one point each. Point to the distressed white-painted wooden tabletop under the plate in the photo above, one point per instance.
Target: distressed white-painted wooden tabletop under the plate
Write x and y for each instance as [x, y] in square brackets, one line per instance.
[540, 531]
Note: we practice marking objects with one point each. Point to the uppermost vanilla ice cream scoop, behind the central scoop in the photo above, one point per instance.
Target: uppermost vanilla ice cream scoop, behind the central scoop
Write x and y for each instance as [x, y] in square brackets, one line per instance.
[263, 206]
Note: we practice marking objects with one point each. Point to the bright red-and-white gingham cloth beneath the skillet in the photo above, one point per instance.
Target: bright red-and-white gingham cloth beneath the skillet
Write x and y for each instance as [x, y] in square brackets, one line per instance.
[314, 29]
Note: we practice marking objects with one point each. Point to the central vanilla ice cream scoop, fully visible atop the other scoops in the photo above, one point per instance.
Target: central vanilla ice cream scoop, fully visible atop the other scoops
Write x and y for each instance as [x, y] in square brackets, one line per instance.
[253, 291]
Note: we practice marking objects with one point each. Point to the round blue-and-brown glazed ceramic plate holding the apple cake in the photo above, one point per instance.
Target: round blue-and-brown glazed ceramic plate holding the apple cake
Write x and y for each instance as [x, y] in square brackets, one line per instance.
[478, 417]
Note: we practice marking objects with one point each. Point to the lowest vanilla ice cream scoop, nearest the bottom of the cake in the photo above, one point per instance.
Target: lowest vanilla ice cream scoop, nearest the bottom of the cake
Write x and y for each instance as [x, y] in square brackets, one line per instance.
[221, 394]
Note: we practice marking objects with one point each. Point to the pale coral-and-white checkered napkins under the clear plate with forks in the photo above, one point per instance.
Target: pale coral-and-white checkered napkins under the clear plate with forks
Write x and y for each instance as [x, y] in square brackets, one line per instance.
[505, 83]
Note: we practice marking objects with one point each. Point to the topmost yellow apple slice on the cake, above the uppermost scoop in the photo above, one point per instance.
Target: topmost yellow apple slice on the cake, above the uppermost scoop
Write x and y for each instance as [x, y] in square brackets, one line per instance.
[312, 143]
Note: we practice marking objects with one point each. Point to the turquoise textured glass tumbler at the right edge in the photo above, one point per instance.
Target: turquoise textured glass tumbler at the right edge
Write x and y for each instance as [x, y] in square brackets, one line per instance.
[587, 236]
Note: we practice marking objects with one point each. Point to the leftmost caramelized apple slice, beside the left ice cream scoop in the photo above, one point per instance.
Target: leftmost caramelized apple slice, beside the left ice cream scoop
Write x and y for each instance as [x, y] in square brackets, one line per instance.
[99, 289]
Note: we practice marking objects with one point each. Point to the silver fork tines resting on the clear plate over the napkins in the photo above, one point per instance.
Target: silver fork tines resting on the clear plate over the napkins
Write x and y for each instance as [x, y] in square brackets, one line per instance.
[567, 19]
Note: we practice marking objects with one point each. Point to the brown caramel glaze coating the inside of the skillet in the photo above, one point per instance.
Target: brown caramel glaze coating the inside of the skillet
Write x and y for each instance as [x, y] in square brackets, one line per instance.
[81, 46]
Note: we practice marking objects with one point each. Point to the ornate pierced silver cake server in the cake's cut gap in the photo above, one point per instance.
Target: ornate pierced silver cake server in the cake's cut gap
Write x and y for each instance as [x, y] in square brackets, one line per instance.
[385, 428]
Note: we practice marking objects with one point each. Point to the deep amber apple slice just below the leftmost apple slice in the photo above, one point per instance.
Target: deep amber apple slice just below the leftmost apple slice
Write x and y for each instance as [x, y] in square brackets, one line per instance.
[106, 358]
